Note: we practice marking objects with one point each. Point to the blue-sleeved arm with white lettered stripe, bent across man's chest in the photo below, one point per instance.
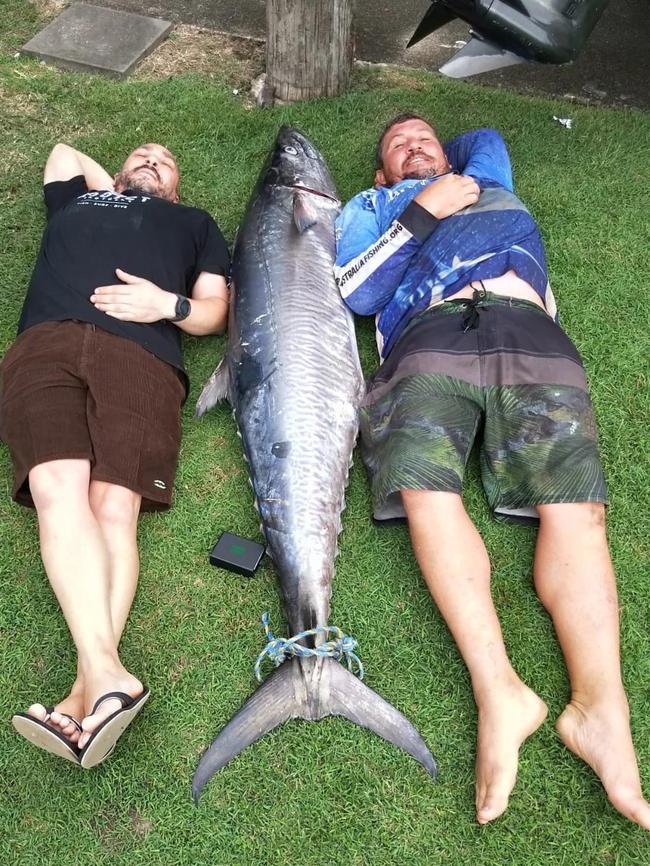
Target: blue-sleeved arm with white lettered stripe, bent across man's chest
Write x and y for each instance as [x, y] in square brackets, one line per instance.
[369, 265]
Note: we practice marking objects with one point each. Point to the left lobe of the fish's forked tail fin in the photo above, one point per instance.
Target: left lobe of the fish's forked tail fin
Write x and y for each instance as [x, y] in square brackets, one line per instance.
[270, 704]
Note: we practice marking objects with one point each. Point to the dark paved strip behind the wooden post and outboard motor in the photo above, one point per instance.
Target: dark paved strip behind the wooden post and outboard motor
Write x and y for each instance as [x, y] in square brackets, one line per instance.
[614, 68]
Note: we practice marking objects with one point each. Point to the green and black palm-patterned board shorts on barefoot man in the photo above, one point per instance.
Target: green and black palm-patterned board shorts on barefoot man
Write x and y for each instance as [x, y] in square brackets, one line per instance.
[497, 367]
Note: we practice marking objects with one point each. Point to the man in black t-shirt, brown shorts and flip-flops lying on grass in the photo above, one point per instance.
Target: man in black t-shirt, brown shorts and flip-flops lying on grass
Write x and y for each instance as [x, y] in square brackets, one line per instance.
[90, 403]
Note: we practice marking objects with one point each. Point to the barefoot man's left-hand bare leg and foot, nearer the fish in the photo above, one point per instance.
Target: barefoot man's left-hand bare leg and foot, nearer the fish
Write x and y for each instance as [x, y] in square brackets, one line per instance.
[455, 566]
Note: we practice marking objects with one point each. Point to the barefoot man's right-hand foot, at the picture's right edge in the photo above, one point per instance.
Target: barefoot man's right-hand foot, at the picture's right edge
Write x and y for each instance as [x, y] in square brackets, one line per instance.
[600, 735]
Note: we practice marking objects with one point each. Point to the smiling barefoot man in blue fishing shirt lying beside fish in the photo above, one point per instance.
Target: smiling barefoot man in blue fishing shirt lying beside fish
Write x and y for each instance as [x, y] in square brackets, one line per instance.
[452, 265]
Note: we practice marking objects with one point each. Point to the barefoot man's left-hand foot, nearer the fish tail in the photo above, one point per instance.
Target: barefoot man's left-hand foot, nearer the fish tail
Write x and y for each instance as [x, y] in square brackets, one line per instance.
[505, 720]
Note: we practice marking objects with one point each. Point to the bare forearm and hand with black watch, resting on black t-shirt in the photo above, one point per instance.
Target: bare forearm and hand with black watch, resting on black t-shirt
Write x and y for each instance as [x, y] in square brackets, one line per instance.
[135, 299]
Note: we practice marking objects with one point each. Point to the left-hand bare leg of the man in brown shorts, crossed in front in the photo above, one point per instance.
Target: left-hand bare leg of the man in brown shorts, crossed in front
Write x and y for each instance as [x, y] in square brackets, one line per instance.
[76, 560]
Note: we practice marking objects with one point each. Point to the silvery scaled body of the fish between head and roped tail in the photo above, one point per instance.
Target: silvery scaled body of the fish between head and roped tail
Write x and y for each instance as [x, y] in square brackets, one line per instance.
[306, 409]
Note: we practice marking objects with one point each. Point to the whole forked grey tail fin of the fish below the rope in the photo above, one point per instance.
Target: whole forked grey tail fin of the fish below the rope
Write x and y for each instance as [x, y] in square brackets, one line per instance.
[310, 689]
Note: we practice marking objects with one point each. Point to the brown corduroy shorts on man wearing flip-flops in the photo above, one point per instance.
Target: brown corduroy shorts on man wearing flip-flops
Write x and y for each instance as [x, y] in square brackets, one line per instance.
[70, 390]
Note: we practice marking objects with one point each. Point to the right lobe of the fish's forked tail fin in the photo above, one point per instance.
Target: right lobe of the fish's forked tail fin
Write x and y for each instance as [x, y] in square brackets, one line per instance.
[350, 698]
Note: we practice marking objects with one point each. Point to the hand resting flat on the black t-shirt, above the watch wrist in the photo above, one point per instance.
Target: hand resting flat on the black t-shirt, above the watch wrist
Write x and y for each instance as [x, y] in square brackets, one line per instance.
[134, 300]
